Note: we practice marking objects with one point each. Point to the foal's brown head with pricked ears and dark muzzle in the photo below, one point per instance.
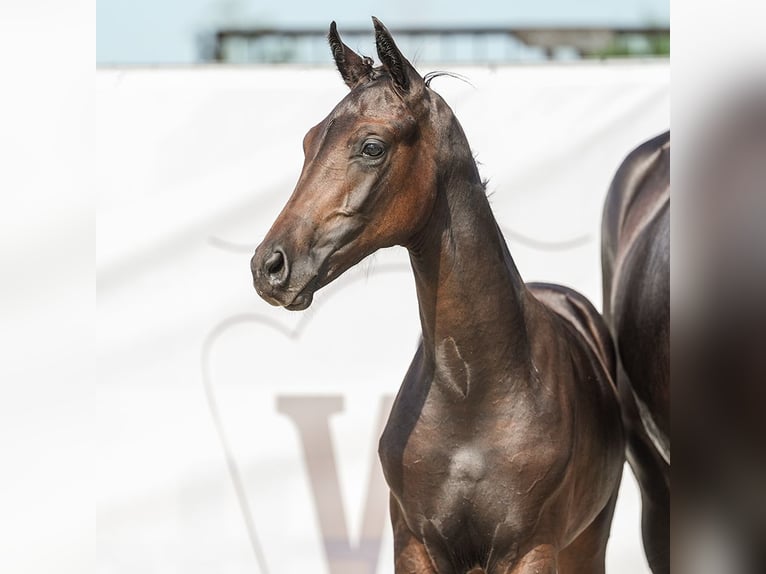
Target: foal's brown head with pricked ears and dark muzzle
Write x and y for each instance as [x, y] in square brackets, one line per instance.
[368, 179]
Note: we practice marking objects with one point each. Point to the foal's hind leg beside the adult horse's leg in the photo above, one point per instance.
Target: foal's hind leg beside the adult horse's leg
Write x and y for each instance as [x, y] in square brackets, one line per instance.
[587, 553]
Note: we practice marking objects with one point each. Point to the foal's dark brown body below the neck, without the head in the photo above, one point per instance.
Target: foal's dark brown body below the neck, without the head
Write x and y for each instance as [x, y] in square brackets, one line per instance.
[486, 462]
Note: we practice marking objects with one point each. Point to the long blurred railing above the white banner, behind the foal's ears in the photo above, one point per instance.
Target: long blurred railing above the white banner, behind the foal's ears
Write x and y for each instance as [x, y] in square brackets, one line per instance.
[450, 45]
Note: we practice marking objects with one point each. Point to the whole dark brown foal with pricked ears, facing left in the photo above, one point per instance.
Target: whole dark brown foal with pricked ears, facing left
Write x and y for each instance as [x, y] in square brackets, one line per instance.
[504, 448]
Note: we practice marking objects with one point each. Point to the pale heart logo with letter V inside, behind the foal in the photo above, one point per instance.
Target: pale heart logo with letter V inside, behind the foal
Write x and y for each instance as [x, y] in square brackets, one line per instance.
[277, 392]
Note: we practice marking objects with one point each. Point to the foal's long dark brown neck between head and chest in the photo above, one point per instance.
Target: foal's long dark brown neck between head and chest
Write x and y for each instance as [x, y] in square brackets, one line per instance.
[471, 296]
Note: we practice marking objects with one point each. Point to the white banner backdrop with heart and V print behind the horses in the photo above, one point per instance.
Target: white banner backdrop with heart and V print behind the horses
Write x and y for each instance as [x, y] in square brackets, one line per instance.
[192, 166]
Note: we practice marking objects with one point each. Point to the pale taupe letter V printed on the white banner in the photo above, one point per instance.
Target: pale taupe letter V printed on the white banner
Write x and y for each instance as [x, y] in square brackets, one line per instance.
[311, 416]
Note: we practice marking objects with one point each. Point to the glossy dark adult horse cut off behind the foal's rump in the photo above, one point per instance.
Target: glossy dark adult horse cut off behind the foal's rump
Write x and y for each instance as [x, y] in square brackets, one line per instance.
[636, 274]
